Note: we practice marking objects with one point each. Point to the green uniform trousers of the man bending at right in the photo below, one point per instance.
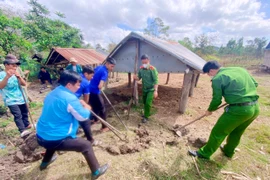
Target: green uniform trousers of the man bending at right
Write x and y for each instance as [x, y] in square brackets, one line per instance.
[232, 123]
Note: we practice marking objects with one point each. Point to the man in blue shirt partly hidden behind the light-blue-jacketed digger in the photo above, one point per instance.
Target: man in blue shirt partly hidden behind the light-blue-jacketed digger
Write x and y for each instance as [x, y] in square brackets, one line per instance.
[84, 91]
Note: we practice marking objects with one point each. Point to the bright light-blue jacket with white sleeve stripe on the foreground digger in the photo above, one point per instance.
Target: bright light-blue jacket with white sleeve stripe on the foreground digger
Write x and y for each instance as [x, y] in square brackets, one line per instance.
[60, 115]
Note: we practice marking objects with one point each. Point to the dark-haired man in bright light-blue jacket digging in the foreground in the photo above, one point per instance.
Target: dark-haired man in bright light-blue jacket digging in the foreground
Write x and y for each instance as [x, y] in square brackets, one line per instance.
[58, 124]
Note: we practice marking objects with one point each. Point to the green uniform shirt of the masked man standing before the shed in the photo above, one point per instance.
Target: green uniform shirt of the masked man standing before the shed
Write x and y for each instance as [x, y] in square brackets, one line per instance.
[149, 78]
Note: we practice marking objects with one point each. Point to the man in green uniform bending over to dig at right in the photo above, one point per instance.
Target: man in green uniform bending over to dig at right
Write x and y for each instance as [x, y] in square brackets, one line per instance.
[238, 88]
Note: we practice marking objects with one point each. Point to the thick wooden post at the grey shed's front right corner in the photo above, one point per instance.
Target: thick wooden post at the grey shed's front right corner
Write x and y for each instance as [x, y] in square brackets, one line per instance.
[185, 91]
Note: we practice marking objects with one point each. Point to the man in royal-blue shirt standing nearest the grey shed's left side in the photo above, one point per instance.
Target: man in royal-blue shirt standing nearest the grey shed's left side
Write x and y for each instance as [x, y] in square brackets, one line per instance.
[97, 83]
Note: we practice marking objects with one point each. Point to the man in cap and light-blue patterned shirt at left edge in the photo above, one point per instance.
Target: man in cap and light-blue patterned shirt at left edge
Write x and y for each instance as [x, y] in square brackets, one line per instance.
[10, 82]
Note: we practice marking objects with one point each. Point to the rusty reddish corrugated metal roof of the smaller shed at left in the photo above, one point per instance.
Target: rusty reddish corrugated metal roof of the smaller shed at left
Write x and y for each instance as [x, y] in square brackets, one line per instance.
[83, 56]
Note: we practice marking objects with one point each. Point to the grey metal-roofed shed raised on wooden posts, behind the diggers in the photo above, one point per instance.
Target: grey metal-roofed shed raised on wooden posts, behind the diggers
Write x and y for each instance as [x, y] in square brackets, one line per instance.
[166, 56]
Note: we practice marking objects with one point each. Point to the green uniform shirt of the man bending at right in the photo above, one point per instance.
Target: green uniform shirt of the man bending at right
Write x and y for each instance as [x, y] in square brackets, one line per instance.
[235, 84]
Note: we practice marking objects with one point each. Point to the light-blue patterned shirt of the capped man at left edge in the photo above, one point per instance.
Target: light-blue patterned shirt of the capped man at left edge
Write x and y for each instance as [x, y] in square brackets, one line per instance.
[11, 93]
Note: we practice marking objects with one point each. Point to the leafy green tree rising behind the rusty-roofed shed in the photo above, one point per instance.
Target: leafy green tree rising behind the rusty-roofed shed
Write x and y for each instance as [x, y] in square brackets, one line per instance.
[46, 33]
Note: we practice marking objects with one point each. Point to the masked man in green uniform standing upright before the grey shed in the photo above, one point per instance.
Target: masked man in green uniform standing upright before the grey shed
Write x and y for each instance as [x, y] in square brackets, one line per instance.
[149, 76]
